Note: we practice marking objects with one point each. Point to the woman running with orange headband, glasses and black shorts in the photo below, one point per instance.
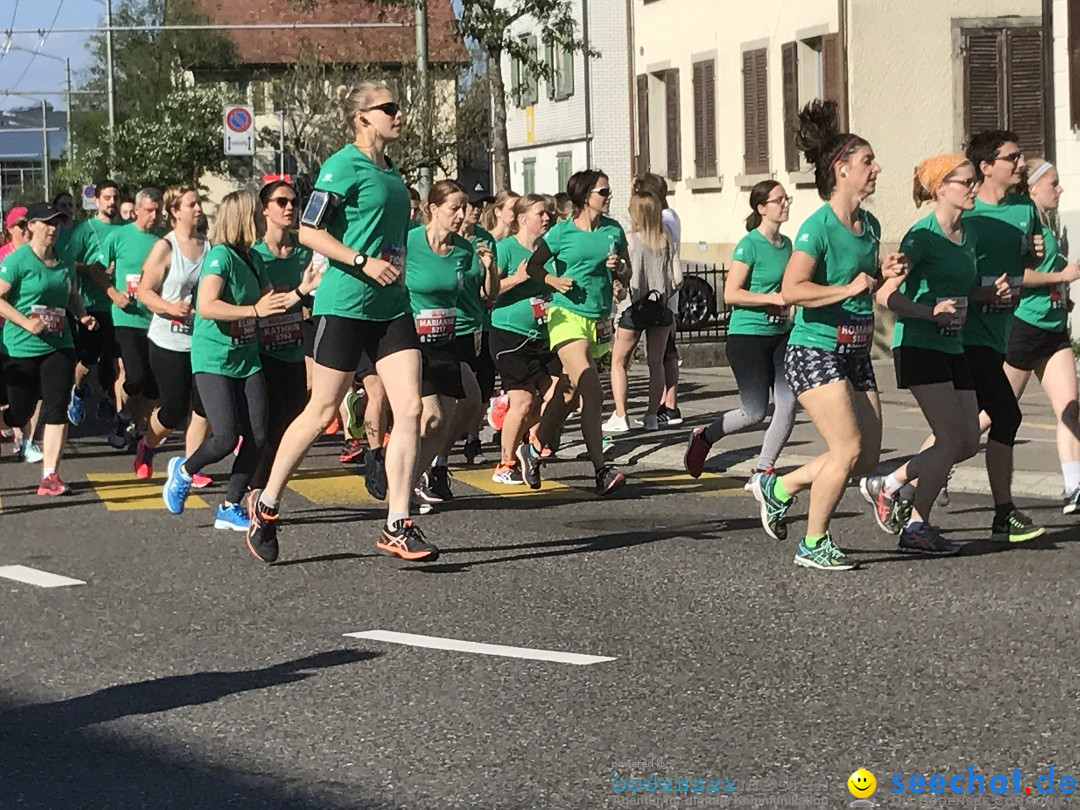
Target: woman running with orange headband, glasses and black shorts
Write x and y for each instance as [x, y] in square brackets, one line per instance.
[931, 305]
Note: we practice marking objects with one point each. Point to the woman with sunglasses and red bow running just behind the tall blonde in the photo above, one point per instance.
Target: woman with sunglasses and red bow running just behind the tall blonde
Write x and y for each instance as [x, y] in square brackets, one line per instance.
[281, 343]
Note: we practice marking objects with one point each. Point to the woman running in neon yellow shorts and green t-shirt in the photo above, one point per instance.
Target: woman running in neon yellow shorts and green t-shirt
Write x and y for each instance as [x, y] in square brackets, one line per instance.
[589, 253]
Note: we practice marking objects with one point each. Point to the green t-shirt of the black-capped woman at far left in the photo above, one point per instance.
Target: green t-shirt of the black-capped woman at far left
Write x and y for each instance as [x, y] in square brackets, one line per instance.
[37, 291]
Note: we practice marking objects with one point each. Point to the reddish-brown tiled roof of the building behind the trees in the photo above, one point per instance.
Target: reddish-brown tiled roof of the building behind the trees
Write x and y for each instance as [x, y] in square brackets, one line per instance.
[384, 46]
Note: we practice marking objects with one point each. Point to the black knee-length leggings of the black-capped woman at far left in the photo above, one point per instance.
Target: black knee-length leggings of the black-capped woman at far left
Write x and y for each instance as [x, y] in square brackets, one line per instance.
[49, 379]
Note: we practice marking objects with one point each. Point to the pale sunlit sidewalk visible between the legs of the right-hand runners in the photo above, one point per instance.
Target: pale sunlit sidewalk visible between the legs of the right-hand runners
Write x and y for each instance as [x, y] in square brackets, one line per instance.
[705, 393]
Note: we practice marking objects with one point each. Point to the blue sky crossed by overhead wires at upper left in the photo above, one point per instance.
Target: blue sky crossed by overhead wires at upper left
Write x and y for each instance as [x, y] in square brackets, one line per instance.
[44, 74]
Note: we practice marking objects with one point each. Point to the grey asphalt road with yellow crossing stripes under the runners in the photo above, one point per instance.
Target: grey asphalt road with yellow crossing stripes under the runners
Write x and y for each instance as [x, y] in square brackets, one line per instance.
[186, 674]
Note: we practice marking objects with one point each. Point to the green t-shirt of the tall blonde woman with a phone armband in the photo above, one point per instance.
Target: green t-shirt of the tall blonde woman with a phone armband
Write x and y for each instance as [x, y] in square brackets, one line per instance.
[373, 220]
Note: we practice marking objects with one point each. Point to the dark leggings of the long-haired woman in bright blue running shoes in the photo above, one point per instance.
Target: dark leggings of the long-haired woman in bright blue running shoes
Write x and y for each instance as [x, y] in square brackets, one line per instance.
[235, 409]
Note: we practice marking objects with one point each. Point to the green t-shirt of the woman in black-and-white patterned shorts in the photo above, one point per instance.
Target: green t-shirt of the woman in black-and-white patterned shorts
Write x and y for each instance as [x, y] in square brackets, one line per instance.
[840, 256]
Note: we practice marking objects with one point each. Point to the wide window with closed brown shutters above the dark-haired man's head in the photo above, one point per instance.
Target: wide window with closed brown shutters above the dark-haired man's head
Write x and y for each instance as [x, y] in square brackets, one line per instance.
[1004, 84]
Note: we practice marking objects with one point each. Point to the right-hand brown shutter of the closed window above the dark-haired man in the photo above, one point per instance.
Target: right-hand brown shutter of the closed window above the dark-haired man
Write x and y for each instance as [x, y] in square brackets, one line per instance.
[1027, 88]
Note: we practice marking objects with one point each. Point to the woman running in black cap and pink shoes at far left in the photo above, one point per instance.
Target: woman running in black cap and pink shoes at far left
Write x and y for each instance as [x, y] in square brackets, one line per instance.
[37, 291]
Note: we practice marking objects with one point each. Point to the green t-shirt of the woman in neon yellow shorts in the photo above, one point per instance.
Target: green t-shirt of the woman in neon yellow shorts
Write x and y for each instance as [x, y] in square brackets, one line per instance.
[583, 256]
